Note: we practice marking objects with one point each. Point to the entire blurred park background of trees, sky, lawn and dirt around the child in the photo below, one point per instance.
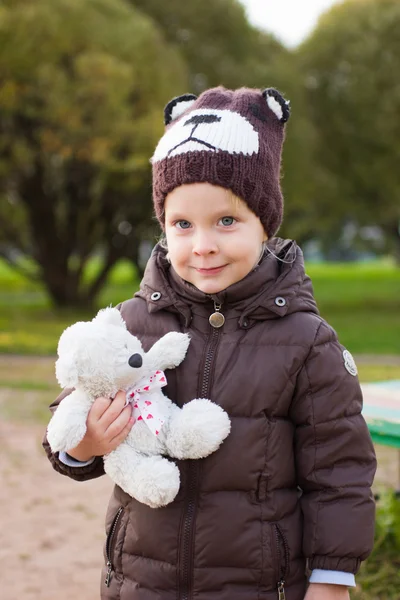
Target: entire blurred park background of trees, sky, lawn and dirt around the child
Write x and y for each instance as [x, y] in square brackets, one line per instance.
[83, 84]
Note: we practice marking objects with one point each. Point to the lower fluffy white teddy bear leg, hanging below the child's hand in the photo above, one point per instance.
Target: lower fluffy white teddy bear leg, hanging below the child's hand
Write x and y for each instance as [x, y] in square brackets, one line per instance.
[152, 480]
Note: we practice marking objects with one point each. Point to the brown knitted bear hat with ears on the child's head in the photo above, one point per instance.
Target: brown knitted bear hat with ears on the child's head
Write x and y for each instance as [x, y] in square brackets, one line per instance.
[228, 138]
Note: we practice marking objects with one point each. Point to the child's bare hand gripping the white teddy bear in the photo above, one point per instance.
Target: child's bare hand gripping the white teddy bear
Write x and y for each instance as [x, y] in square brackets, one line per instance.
[108, 424]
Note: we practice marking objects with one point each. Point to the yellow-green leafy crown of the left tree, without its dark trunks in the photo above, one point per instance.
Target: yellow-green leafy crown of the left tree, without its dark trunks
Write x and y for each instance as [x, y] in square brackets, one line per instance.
[86, 79]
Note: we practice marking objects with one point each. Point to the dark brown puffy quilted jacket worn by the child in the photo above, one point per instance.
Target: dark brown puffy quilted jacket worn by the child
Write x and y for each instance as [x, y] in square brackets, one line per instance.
[289, 488]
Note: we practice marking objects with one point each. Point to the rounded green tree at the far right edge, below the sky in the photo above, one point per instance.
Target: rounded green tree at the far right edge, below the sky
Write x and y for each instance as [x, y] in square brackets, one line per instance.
[350, 64]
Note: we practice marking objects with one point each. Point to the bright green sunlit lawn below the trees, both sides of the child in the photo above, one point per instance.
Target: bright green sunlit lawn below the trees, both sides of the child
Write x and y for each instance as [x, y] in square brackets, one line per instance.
[361, 301]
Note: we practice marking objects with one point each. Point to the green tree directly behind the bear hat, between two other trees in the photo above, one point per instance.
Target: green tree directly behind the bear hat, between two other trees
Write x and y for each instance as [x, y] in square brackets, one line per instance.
[221, 47]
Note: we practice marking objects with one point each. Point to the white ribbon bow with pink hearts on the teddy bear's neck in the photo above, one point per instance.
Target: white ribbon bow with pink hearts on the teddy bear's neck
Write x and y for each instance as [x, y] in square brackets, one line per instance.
[144, 399]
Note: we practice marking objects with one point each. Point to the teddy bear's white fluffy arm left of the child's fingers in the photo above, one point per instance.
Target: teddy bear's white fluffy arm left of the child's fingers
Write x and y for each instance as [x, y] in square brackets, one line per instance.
[67, 426]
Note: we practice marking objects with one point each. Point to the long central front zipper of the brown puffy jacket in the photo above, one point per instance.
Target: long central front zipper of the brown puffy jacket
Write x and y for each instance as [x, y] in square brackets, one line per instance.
[193, 478]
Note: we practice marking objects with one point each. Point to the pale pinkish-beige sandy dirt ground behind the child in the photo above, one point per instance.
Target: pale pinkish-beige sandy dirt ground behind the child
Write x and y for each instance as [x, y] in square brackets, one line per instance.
[51, 527]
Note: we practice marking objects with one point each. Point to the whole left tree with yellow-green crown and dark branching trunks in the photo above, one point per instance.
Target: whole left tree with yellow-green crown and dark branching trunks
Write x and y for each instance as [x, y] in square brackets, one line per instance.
[82, 87]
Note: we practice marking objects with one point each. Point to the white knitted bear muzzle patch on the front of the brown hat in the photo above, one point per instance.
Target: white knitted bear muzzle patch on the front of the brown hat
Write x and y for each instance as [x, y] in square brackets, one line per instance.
[208, 129]
